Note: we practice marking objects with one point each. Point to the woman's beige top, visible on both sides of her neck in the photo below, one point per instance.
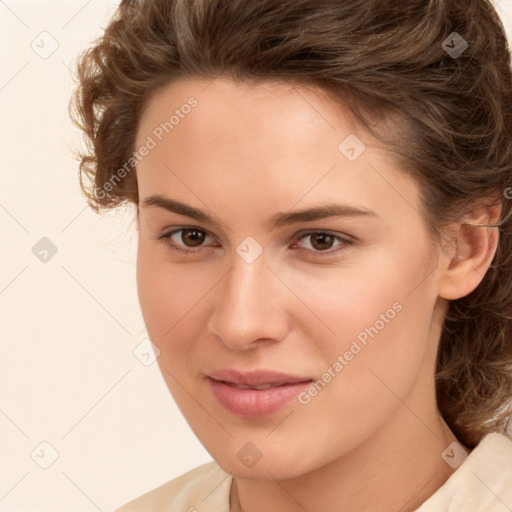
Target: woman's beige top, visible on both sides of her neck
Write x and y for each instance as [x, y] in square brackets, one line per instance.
[482, 483]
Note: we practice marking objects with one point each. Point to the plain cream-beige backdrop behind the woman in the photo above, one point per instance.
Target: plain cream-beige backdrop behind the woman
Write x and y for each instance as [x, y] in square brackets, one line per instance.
[85, 423]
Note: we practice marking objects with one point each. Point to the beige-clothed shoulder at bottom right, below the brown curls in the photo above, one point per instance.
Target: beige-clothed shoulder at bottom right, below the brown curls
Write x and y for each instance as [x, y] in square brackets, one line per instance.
[483, 482]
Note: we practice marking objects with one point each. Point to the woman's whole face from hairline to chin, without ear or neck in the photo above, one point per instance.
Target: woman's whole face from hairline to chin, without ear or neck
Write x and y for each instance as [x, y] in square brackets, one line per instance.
[343, 303]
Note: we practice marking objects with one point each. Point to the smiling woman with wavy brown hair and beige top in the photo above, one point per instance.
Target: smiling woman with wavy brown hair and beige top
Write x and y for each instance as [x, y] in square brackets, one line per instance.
[324, 259]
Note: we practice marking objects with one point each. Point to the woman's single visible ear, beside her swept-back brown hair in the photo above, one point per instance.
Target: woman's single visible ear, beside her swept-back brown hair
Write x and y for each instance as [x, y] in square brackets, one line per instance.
[473, 243]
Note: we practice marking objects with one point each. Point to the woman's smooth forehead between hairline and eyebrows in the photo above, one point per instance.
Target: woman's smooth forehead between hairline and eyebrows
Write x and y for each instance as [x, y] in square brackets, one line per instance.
[272, 139]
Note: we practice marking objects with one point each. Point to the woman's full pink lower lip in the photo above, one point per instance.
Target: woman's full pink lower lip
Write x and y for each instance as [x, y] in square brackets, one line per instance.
[254, 403]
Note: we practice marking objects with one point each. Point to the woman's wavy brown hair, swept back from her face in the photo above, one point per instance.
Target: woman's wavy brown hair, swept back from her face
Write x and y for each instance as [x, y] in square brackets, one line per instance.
[398, 59]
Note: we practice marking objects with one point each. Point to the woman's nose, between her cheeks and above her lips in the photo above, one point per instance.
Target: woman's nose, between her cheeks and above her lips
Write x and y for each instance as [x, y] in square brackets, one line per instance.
[251, 306]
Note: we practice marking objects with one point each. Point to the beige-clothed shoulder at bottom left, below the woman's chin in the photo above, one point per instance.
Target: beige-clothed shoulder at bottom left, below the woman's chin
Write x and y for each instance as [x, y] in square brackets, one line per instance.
[203, 488]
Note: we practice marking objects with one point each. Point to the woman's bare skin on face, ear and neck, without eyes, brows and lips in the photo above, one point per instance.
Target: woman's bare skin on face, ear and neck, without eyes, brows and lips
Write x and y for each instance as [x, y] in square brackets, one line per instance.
[372, 438]
